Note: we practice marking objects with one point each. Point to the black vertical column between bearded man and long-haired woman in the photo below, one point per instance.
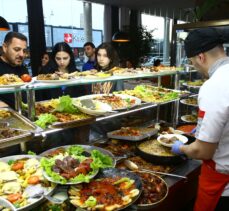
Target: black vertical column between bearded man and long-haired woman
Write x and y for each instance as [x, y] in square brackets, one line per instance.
[36, 33]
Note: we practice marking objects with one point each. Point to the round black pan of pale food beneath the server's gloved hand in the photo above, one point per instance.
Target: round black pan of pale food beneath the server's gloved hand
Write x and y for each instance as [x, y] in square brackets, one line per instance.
[157, 158]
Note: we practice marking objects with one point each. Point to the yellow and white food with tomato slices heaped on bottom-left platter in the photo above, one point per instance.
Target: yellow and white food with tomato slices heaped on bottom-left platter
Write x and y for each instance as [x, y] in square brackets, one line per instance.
[22, 182]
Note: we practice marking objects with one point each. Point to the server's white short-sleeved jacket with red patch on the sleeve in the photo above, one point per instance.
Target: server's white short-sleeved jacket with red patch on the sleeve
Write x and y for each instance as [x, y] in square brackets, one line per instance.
[213, 115]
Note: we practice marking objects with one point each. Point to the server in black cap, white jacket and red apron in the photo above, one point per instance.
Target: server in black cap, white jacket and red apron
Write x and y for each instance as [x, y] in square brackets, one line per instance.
[204, 48]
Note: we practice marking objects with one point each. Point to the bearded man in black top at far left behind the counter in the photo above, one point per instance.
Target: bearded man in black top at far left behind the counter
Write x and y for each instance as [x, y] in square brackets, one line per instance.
[11, 61]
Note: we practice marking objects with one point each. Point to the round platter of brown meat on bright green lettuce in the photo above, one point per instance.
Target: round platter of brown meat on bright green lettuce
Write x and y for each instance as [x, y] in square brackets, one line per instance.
[72, 165]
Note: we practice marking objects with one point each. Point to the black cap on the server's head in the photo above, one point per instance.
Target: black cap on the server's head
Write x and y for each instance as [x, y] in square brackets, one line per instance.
[202, 40]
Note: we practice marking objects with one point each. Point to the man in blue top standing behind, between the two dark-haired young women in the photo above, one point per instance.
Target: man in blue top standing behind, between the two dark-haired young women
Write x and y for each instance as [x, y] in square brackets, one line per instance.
[89, 49]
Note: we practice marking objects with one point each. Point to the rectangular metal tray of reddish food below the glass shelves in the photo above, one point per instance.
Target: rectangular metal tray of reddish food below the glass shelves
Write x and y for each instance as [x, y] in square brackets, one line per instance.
[132, 133]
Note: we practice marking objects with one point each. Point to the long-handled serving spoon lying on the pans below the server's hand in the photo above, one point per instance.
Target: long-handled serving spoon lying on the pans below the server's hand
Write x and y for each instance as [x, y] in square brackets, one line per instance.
[133, 166]
